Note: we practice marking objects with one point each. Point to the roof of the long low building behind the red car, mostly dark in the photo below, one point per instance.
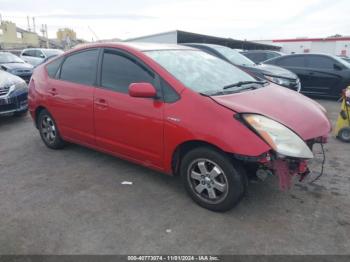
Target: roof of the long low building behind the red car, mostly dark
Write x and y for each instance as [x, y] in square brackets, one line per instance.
[188, 37]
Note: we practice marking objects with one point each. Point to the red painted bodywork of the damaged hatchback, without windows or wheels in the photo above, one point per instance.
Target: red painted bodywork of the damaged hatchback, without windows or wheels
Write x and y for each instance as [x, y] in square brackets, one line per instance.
[148, 131]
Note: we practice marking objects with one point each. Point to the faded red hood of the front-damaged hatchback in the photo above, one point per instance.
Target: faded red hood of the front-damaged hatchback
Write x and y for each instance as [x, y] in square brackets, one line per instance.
[301, 114]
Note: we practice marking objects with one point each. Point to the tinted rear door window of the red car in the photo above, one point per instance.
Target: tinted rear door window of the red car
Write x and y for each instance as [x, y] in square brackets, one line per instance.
[80, 67]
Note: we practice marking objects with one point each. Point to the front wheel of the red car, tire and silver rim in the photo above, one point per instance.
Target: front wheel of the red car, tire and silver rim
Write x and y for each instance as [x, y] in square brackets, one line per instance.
[229, 175]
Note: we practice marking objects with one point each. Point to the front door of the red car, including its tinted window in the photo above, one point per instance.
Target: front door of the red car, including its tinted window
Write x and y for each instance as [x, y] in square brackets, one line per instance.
[124, 125]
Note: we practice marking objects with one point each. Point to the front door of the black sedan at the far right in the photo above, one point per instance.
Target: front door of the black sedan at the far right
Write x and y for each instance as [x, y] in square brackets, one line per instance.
[323, 77]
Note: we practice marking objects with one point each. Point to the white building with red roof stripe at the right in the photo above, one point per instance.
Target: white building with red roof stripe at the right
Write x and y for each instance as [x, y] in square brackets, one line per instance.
[337, 45]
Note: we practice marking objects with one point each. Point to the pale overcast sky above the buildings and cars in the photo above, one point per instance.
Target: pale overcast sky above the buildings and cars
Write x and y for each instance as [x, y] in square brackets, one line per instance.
[237, 19]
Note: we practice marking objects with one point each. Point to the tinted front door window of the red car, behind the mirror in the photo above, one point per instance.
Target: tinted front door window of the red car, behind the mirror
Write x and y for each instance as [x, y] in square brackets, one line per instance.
[119, 71]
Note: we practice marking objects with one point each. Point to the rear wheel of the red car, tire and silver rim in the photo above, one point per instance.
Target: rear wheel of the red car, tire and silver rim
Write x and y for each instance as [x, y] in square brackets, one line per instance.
[49, 131]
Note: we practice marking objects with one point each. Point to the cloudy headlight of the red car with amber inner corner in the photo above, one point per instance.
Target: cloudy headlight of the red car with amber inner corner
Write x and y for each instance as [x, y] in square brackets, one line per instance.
[281, 139]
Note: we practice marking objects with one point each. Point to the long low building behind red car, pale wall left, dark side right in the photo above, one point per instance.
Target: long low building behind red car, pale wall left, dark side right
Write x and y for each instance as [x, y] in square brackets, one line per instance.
[178, 37]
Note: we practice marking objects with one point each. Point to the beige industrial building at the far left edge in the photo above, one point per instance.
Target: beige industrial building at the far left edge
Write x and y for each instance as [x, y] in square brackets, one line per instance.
[13, 37]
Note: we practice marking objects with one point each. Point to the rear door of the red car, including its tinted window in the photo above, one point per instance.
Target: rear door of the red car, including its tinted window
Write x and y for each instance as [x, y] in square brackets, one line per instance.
[70, 96]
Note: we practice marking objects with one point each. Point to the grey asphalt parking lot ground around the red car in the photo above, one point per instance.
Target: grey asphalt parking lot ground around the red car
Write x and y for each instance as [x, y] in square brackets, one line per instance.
[72, 201]
